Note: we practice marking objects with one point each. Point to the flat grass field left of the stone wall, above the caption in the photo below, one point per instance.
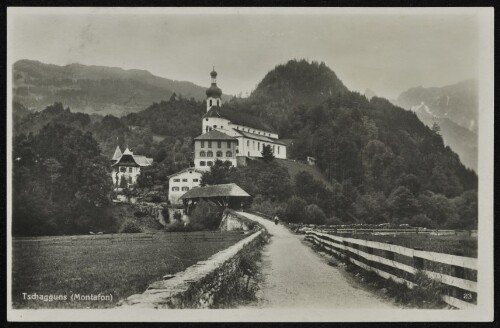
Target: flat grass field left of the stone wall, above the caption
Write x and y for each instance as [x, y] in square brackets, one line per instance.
[98, 266]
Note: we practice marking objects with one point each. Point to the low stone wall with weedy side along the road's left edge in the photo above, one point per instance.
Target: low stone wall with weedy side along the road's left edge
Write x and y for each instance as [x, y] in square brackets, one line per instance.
[199, 285]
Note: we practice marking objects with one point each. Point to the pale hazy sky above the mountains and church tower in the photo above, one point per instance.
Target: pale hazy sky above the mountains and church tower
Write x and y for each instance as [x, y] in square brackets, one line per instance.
[386, 53]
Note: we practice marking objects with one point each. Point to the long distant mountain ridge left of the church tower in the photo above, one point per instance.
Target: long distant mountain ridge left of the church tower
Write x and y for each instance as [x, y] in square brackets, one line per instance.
[94, 89]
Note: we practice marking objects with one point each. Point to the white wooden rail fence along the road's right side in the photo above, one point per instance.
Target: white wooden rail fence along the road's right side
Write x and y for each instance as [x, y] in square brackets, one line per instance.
[457, 274]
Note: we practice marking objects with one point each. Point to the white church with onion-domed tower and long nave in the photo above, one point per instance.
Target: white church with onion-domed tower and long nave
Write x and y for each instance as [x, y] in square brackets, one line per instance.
[252, 134]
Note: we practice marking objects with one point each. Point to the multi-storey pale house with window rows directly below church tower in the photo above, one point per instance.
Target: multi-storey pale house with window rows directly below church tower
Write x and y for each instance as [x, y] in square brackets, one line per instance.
[211, 146]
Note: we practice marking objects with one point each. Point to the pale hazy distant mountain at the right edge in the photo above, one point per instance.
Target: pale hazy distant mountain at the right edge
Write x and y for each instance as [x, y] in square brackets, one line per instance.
[455, 109]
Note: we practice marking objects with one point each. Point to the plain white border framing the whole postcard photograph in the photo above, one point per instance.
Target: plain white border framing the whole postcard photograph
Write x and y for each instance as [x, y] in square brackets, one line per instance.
[484, 311]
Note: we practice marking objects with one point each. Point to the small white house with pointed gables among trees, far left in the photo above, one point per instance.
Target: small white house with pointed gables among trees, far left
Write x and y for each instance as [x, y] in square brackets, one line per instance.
[127, 166]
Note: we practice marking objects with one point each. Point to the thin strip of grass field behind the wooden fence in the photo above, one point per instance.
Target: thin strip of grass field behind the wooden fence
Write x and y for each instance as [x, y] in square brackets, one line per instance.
[462, 244]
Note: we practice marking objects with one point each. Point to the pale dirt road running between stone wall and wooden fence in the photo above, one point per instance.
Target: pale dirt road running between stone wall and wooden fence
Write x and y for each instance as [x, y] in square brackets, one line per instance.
[294, 276]
